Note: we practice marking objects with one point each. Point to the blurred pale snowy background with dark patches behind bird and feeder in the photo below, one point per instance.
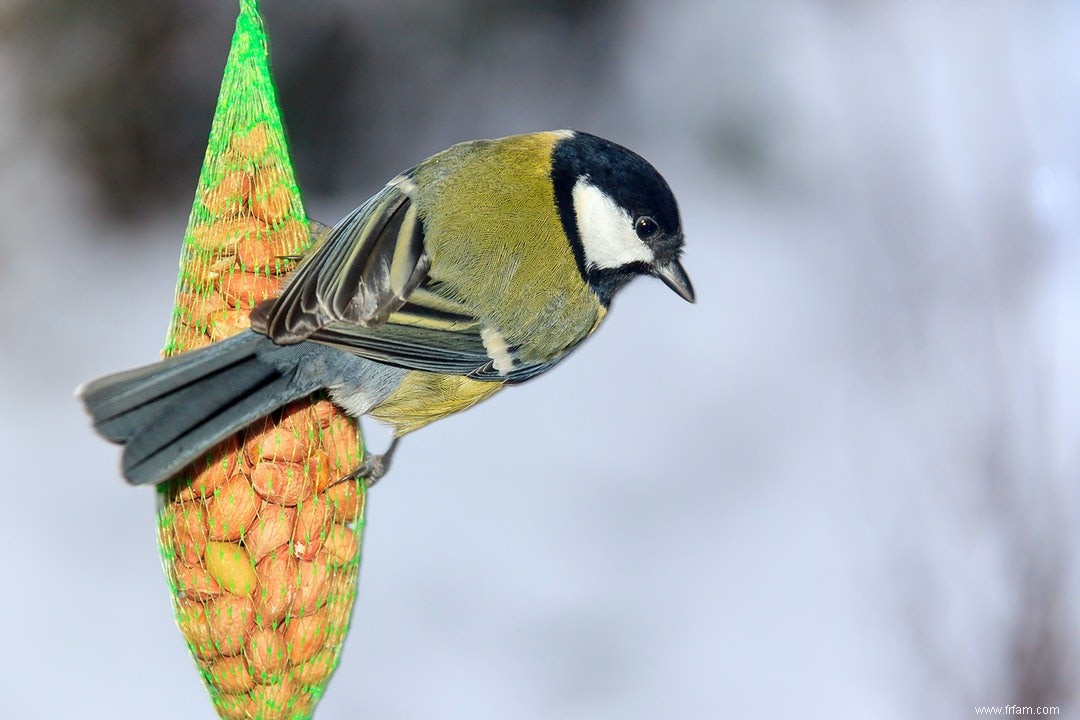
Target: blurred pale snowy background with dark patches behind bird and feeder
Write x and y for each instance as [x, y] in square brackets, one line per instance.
[844, 485]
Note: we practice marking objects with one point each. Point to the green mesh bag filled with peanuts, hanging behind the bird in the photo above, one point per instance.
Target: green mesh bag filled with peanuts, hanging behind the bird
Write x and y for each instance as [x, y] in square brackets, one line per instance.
[260, 542]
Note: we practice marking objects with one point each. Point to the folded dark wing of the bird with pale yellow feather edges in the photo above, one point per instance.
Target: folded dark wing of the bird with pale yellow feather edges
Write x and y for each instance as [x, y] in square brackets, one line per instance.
[366, 290]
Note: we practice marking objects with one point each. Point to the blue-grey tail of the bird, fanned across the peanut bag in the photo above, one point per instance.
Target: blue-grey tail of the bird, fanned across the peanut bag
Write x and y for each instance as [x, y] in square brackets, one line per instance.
[169, 414]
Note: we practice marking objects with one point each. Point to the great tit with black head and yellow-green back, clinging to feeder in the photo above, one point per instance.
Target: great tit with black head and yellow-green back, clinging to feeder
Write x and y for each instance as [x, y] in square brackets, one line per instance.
[483, 266]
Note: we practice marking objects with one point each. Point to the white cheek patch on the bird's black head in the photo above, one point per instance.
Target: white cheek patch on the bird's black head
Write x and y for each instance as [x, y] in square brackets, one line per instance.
[607, 230]
